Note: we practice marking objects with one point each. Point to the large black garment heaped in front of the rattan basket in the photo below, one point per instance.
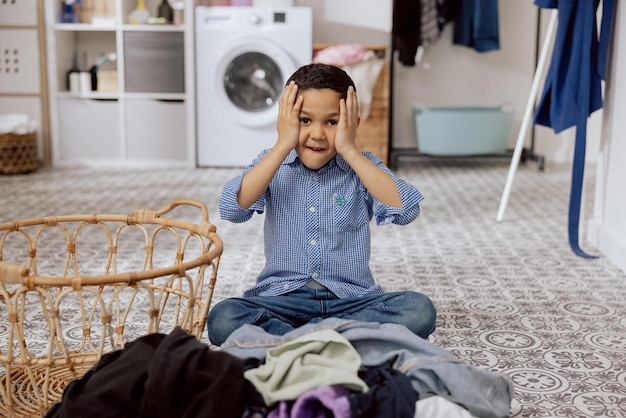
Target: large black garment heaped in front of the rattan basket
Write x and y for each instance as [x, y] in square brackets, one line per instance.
[157, 376]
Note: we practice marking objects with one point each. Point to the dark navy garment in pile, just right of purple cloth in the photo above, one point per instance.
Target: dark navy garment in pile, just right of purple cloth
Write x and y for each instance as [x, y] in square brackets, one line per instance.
[390, 394]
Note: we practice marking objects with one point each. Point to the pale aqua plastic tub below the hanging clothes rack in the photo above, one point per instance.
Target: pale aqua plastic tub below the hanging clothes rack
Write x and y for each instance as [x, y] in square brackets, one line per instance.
[459, 131]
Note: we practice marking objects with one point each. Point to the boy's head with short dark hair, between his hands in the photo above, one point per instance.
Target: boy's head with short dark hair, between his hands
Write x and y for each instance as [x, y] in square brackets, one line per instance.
[322, 87]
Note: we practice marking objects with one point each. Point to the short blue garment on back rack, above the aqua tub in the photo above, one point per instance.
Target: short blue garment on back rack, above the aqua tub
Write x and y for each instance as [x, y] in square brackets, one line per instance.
[476, 25]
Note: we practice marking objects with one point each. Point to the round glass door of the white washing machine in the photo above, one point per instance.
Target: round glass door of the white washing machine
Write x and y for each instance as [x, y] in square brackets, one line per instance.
[249, 78]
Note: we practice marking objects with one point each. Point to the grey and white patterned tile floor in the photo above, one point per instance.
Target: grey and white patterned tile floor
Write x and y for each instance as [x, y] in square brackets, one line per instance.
[511, 296]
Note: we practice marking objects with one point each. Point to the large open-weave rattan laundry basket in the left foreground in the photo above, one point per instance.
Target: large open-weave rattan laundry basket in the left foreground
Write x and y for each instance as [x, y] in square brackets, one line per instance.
[154, 273]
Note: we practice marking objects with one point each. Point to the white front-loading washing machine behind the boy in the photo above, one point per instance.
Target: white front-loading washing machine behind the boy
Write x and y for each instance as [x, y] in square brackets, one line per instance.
[244, 56]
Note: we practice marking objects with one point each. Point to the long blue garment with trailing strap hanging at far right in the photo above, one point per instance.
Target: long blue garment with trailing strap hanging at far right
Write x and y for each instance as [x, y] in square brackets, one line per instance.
[573, 90]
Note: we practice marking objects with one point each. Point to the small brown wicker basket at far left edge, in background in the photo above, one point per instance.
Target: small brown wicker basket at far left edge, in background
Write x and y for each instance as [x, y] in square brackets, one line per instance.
[18, 153]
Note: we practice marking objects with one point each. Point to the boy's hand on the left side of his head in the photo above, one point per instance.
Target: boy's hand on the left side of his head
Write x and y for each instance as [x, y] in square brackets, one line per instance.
[288, 124]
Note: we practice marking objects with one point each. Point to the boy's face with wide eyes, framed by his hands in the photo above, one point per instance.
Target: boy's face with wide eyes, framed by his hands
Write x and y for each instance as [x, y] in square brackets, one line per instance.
[319, 117]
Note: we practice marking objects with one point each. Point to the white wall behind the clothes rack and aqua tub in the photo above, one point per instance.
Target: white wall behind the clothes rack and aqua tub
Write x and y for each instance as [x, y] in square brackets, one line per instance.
[453, 75]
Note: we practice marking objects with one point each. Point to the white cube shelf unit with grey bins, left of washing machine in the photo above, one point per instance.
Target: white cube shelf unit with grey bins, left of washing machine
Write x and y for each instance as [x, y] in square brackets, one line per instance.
[149, 119]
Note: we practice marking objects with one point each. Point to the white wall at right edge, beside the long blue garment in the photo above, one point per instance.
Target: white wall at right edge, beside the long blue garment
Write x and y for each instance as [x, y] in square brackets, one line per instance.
[607, 229]
